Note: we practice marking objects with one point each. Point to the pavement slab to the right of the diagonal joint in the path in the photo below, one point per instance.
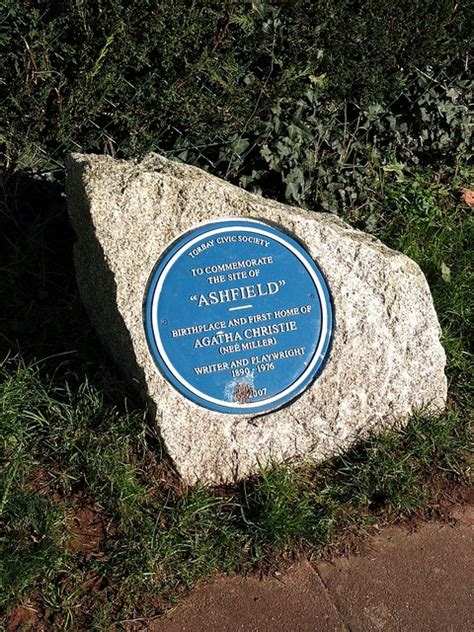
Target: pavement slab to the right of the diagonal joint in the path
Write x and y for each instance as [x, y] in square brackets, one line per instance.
[409, 581]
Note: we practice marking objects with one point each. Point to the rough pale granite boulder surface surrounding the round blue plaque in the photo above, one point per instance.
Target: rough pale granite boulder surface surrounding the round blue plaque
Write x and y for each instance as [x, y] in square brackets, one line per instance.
[386, 358]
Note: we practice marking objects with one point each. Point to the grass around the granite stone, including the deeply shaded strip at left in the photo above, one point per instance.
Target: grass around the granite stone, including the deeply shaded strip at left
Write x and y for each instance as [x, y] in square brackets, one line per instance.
[95, 526]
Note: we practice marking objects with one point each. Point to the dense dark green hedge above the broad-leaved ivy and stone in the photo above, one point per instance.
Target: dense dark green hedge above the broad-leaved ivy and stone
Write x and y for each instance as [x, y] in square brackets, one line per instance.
[120, 77]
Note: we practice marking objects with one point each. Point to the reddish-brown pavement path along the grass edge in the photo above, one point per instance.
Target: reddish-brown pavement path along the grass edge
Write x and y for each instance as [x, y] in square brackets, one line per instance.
[415, 581]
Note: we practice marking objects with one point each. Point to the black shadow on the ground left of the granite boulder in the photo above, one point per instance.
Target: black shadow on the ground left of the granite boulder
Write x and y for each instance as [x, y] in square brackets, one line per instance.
[42, 318]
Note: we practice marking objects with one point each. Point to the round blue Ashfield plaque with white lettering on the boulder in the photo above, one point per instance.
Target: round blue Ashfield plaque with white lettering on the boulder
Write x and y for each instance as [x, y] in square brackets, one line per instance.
[238, 316]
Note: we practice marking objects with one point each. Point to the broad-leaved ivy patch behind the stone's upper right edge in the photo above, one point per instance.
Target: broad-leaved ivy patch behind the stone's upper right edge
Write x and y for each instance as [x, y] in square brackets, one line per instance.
[336, 160]
